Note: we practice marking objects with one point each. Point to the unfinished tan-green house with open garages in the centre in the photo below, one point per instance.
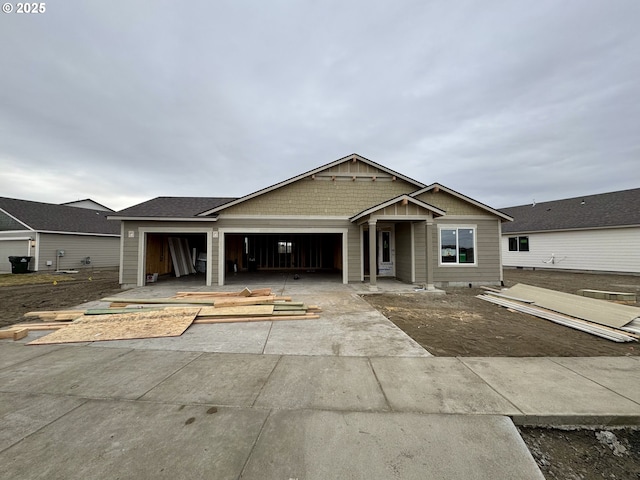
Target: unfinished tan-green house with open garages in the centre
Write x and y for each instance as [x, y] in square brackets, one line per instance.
[351, 216]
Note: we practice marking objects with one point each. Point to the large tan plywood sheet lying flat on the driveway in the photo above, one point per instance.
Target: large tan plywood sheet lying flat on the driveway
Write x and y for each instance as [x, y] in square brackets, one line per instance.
[126, 326]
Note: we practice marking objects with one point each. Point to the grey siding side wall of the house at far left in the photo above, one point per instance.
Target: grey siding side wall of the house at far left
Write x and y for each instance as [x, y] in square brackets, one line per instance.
[103, 251]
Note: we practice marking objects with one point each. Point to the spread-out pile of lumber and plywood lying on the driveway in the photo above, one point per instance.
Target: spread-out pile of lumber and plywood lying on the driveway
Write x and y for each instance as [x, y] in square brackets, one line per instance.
[152, 317]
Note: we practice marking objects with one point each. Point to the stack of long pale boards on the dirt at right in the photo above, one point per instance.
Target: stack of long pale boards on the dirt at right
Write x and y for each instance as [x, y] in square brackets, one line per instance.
[612, 321]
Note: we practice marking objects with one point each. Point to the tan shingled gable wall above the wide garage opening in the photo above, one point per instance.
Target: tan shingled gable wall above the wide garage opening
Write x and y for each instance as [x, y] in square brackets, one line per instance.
[323, 197]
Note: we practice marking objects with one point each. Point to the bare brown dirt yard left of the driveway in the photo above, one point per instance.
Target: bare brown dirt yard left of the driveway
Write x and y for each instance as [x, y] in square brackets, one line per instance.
[24, 293]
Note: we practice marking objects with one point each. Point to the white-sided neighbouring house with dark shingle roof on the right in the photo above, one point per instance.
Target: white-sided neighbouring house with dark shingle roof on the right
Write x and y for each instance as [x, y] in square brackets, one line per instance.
[592, 233]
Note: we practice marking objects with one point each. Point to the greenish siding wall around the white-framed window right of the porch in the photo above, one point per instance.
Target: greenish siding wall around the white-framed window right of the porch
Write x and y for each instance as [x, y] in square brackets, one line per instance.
[488, 268]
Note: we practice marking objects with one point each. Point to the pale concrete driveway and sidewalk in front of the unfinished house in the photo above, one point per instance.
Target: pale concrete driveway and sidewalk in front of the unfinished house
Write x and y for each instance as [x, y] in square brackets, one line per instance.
[190, 409]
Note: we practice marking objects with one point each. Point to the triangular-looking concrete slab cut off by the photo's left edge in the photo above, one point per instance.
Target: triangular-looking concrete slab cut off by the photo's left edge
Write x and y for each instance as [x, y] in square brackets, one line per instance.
[22, 414]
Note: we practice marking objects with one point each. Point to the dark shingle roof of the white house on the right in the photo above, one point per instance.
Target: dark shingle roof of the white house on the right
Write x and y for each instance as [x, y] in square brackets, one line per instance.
[614, 209]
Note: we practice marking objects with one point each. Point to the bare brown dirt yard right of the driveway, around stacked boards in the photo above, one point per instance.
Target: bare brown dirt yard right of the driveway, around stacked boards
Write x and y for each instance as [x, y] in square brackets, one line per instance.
[459, 324]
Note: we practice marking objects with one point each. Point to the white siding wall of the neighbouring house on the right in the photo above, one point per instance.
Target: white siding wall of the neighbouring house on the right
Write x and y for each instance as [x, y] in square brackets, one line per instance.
[607, 250]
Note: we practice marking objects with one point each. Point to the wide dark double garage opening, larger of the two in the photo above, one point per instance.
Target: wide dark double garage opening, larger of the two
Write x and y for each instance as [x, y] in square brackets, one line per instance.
[287, 252]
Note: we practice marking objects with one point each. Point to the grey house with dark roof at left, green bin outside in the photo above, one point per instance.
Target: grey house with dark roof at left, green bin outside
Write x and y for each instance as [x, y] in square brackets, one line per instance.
[58, 237]
